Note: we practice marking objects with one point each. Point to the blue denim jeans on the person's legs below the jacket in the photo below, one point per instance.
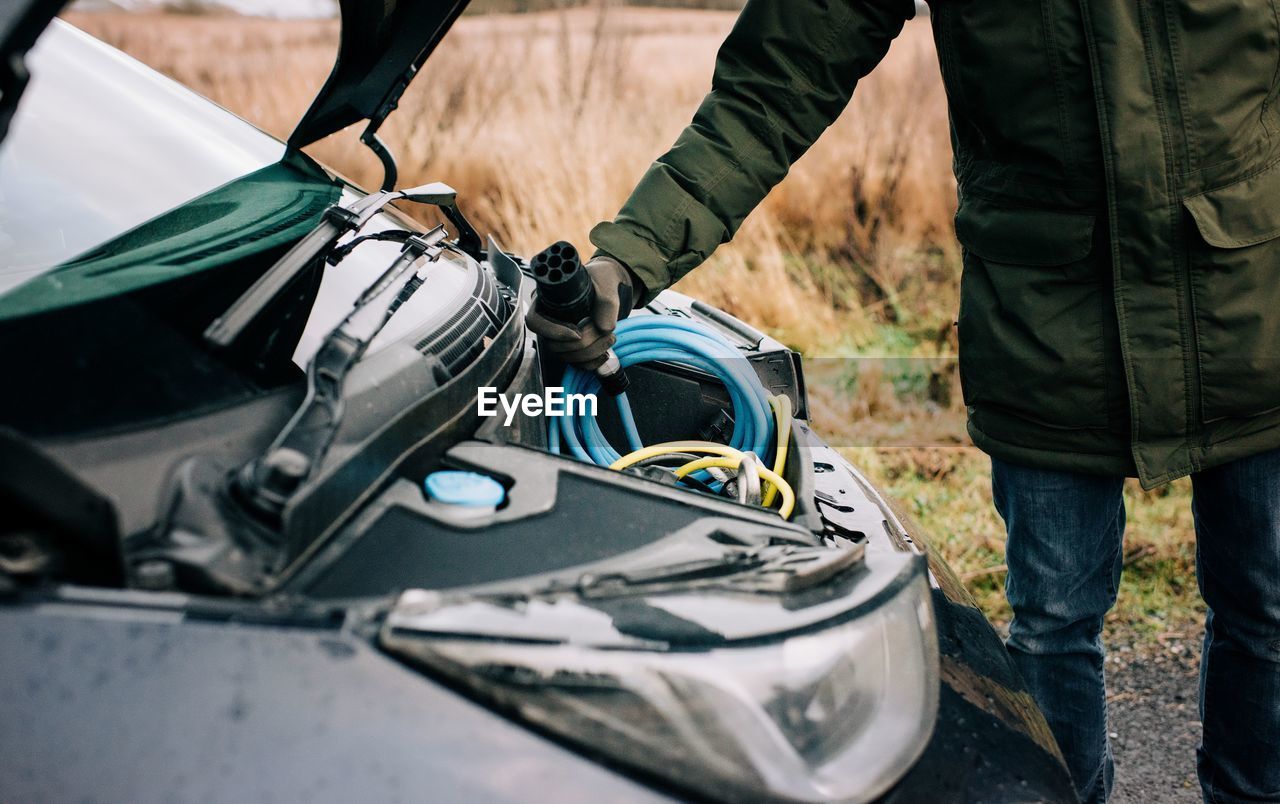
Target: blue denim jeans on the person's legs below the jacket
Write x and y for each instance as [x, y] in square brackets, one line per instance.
[1064, 558]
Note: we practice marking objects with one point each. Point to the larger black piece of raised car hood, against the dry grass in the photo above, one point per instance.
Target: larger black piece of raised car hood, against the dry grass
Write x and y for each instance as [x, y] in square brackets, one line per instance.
[383, 44]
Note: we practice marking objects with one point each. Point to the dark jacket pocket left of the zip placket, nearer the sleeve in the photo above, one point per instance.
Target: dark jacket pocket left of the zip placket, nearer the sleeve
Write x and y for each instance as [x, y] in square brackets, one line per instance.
[1032, 300]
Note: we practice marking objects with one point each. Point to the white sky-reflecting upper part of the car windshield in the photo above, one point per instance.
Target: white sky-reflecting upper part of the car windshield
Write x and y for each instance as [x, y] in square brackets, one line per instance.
[102, 144]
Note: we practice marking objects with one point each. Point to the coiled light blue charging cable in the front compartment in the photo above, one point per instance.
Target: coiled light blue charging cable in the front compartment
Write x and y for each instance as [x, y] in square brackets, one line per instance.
[646, 339]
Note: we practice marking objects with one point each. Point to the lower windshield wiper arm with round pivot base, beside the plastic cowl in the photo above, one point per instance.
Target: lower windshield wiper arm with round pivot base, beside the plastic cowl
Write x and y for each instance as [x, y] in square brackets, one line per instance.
[268, 482]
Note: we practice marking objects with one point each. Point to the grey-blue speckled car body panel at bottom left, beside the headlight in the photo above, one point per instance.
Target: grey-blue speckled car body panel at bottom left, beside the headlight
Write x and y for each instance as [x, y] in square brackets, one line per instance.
[113, 703]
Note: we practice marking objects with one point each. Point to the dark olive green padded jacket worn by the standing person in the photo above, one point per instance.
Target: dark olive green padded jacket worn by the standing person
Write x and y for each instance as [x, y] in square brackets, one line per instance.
[1119, 170]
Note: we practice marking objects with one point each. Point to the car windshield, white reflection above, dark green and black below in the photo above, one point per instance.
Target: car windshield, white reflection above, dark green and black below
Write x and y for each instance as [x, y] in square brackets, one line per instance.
[132, 213]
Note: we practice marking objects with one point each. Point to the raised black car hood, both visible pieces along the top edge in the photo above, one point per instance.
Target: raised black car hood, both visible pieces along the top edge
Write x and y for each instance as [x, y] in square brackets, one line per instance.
[383, 44]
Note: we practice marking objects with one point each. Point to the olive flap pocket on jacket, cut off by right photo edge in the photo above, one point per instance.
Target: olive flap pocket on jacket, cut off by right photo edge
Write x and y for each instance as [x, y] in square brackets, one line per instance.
[1236, 287]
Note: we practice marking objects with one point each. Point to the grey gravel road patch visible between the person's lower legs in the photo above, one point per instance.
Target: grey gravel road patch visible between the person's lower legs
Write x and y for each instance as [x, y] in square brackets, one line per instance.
[1155, 725]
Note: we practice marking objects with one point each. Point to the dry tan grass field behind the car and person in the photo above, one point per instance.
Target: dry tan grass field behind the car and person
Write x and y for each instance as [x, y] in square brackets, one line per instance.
[545, 122]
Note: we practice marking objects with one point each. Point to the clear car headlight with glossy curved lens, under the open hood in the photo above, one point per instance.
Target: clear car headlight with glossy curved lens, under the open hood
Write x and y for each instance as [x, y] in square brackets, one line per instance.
[835, 710]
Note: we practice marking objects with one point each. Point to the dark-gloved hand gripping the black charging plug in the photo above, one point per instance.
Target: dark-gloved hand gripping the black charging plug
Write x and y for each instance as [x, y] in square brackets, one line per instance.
[587, 346]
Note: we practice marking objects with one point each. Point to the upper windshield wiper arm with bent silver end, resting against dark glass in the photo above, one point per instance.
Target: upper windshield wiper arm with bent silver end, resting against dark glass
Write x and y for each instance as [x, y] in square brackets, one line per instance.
[336, 223]
